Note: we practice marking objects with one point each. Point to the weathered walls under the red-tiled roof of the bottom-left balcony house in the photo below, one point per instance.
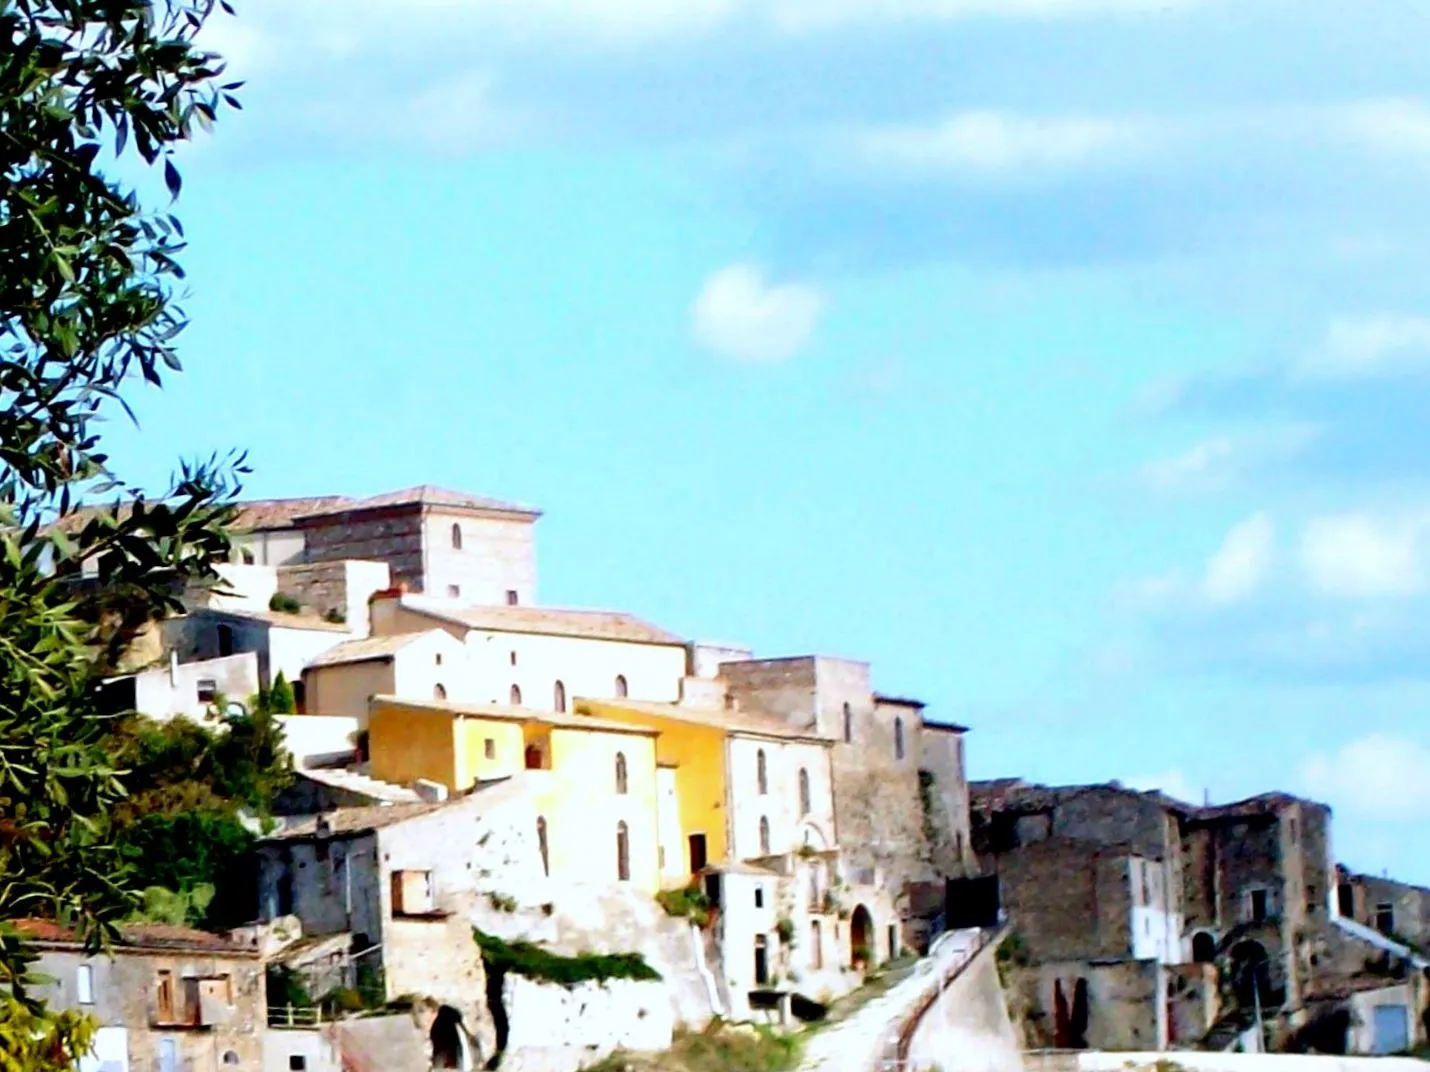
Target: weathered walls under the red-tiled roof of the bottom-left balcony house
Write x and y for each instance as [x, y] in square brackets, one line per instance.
[125, 993]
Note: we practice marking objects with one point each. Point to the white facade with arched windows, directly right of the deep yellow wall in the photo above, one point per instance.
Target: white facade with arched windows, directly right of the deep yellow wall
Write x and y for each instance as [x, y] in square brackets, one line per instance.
[780, 805]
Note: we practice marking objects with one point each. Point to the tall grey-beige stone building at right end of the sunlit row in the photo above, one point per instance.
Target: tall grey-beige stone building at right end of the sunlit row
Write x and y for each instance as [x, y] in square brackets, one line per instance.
[899, 783]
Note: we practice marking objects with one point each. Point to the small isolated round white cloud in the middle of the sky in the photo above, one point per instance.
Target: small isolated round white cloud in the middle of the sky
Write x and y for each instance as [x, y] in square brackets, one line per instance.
[740, 315]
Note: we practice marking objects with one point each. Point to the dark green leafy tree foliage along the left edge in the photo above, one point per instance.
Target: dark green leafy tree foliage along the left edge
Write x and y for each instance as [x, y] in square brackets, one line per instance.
[88, 279]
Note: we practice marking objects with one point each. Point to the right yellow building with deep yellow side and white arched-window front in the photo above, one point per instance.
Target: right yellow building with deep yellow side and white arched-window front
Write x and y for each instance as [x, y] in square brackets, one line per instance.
[730, 785]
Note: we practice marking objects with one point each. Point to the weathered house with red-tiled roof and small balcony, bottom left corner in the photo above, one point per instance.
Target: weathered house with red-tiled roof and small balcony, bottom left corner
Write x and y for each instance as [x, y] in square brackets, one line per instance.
[167, 998]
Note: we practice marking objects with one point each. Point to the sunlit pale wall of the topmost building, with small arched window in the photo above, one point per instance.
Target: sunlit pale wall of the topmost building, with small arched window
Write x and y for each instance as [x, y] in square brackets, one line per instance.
[498, 555]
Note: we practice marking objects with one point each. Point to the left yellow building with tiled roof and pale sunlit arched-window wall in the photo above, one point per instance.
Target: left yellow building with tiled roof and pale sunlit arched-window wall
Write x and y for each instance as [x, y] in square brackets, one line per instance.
[594, 781]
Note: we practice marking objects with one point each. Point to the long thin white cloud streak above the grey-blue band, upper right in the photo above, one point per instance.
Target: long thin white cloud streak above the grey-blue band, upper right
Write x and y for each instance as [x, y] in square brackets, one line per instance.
[1000, 142]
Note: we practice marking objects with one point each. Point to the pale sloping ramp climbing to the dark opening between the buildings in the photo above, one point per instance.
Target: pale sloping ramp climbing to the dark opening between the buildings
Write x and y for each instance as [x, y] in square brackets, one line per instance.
[869, 1041]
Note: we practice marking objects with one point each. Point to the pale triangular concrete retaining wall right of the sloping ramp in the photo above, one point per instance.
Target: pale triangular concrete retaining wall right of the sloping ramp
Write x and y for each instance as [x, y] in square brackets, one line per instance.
[969, 1028]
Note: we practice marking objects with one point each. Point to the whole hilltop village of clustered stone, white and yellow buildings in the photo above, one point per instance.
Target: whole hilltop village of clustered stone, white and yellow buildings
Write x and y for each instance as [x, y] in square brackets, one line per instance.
[541, 835]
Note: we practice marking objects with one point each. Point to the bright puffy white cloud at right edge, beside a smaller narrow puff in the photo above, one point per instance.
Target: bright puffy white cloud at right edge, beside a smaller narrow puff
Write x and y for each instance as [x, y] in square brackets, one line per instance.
[1361, 557]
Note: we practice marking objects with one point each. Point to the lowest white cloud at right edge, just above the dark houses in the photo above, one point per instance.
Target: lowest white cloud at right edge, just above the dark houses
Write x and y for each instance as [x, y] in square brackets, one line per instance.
[1378, 777]
